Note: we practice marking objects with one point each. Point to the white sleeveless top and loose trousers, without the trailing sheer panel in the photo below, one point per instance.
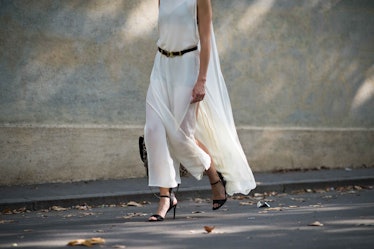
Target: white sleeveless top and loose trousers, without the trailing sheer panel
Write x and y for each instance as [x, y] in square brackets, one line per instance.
[170, 118]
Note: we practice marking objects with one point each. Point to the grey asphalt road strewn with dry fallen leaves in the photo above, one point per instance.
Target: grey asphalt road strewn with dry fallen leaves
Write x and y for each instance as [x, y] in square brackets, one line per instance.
[325, 218]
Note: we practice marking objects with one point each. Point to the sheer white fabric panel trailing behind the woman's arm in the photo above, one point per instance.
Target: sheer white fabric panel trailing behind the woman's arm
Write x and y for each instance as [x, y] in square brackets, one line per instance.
[216, 130]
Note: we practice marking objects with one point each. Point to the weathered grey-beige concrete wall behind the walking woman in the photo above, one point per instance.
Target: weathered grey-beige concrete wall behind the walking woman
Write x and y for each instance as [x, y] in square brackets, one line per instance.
[74, 74]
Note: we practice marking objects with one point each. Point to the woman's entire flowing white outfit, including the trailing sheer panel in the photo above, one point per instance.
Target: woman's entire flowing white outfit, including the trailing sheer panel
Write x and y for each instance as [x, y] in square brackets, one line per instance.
[173, 124]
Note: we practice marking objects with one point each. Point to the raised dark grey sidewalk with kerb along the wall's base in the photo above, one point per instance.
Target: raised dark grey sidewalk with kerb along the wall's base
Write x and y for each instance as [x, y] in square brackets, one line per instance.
[115, 191]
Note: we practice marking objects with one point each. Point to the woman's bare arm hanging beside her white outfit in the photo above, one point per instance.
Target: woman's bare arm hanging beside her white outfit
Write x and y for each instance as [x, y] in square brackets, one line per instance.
[204, 14]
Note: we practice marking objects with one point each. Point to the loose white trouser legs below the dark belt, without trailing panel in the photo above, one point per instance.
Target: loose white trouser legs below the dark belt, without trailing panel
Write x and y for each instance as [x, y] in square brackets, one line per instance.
[171, 121]
